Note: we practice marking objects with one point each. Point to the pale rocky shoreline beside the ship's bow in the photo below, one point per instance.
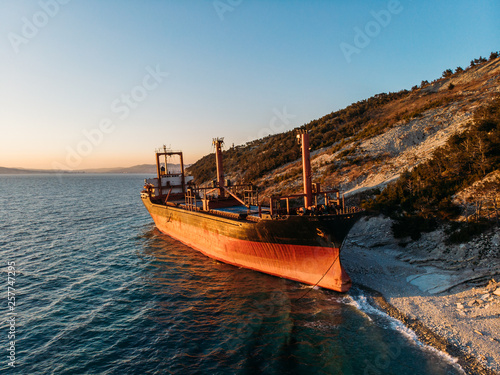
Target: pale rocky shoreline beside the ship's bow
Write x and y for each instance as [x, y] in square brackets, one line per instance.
[449, 295]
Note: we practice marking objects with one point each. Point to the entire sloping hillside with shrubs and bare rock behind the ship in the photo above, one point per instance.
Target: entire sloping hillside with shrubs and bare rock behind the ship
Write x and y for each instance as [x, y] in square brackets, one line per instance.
[435, 143]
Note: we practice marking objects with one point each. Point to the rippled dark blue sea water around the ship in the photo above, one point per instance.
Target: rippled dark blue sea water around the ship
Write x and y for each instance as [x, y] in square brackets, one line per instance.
[99, 290]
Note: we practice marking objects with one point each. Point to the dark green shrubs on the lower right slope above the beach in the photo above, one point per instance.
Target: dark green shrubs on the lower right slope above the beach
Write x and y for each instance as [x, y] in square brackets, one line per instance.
[427, 192]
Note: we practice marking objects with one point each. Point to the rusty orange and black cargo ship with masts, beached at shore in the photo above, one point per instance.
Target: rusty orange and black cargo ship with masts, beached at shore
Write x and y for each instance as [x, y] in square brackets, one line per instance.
[297, 237]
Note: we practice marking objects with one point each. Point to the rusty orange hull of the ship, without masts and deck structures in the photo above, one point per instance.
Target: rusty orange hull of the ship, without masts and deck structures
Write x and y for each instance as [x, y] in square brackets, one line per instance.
[300, 248]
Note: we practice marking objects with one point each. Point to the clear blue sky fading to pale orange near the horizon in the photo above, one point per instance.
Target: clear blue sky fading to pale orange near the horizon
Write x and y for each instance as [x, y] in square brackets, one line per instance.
[102, 83]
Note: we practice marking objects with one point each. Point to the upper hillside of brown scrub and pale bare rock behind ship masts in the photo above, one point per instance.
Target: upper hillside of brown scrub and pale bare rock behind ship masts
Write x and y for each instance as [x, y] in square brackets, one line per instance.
[371, 143]
